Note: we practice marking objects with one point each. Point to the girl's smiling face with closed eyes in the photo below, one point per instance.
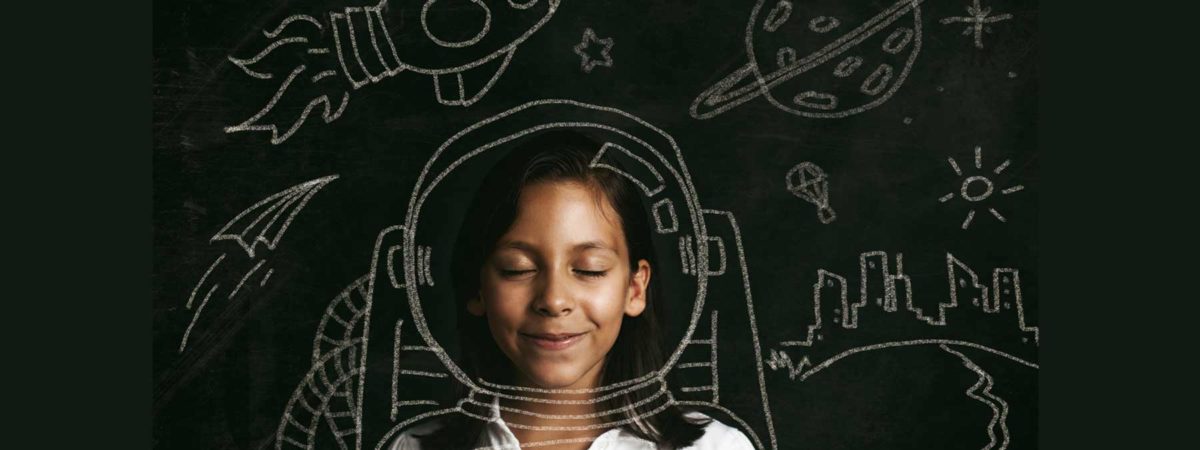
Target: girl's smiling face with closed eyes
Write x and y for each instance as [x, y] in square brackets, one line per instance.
[559, 285]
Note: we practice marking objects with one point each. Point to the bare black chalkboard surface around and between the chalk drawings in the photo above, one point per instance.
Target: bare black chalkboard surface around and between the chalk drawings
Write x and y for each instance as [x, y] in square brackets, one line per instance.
[230, 387]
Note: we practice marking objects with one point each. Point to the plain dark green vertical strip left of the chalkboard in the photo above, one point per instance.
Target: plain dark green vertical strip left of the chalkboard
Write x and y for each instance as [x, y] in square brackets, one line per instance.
[77, 302]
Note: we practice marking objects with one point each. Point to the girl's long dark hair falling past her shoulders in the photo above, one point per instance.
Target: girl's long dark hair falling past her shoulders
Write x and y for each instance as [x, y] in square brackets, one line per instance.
[561, 155]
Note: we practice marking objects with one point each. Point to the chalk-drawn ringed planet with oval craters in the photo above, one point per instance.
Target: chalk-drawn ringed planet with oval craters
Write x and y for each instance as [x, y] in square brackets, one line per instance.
[818, 85]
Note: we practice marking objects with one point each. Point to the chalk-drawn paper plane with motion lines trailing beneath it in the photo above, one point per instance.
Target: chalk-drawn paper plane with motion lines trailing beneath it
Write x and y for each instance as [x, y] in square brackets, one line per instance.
[259, 227]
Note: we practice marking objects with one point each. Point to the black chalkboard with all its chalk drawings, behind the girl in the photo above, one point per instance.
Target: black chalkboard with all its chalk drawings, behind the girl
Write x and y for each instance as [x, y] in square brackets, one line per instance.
[845, 196]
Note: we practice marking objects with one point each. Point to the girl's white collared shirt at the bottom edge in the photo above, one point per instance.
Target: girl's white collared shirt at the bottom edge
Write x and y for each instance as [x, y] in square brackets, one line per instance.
[497, 436]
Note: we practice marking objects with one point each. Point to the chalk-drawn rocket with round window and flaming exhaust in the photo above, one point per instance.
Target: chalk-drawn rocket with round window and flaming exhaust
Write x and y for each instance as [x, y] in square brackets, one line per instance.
[464, 70]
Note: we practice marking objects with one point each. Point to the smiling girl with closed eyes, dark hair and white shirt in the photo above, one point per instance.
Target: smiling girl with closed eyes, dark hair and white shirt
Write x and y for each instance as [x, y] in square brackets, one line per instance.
[555, 268]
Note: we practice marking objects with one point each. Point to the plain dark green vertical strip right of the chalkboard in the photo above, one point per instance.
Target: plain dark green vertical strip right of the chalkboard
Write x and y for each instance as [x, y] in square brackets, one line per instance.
[1118, 320]
